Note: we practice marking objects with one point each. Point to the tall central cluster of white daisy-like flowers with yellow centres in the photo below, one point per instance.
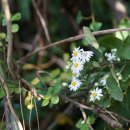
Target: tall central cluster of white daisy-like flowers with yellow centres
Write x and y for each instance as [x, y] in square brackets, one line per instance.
[79, 58]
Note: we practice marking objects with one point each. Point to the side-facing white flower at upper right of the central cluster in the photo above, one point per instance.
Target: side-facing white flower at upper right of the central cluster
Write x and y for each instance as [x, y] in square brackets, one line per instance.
[86, 56]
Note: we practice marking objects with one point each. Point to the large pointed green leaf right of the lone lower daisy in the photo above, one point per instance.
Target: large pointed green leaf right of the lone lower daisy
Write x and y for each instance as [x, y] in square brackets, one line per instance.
[114, 88]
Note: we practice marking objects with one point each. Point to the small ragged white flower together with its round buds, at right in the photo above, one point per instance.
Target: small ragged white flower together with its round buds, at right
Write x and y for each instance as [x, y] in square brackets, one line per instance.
[112, 56]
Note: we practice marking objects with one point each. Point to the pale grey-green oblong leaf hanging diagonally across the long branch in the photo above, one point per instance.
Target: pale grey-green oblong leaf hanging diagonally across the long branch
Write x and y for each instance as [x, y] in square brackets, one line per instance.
[90, 39]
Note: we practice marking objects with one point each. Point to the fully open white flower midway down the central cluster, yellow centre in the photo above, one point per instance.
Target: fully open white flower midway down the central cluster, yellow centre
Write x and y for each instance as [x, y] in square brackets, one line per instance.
[77, 66]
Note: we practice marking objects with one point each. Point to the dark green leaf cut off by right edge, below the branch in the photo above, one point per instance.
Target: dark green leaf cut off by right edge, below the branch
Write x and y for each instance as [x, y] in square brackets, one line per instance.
[126, 48]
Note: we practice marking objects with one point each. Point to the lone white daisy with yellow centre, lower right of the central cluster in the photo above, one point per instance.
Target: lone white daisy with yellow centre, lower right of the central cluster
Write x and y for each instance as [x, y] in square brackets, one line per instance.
[96, 94]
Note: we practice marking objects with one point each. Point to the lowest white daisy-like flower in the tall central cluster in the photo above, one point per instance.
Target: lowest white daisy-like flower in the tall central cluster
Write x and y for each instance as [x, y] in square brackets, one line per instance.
[75, 84]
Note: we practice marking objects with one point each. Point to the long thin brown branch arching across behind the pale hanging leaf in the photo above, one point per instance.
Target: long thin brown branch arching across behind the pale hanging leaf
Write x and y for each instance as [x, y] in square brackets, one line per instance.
[71, 39]
